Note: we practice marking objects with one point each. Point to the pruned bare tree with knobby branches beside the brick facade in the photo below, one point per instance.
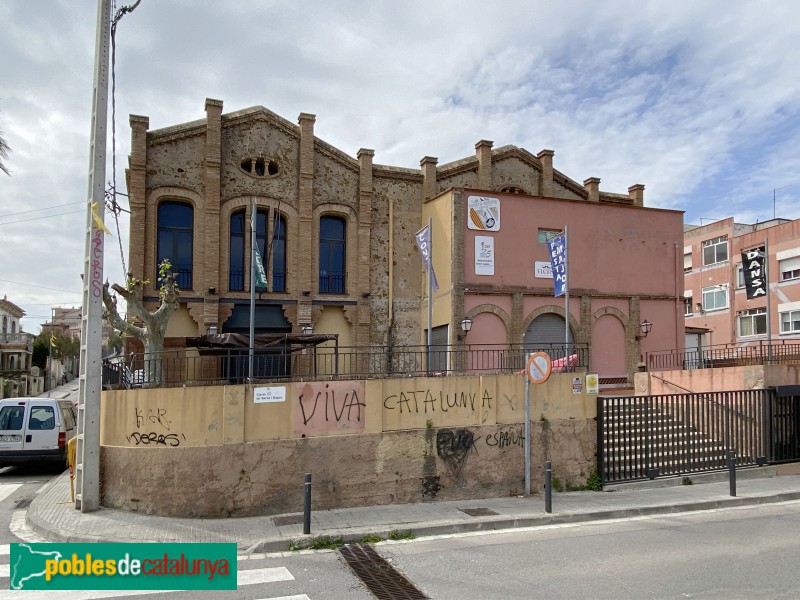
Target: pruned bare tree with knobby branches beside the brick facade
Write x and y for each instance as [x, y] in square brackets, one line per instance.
[154, 324]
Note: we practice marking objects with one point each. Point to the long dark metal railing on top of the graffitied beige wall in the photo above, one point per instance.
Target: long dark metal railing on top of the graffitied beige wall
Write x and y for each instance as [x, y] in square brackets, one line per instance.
[215, 366]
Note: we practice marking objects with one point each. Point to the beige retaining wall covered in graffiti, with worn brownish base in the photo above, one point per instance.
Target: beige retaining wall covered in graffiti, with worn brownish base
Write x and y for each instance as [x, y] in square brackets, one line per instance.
[215, 452]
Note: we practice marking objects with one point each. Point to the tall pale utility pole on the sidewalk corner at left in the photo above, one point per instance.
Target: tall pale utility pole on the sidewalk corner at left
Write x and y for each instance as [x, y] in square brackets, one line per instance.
[87, 455]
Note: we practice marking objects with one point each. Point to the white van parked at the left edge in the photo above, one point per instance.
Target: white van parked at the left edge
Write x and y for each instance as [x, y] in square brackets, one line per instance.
[35, 430]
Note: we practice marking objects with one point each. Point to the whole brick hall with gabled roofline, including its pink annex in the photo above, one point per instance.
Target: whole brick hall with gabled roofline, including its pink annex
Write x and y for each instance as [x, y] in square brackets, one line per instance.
[337, 238]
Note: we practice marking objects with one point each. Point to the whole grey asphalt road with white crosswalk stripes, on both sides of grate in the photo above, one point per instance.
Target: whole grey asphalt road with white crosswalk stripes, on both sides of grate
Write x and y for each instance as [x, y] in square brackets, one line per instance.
[746, 552]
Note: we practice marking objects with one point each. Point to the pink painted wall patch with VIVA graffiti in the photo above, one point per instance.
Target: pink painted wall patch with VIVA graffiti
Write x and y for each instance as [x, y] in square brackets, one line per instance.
[328, 406]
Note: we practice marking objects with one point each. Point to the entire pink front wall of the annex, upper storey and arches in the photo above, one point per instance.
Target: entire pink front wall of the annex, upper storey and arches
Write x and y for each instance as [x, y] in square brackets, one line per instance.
[626, 260]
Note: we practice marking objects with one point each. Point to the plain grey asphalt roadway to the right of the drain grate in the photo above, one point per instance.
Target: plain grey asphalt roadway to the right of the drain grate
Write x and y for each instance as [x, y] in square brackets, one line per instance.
[750, 552]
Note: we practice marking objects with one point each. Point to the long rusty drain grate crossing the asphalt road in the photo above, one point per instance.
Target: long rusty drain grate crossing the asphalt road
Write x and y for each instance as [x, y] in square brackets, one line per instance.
[382, 579]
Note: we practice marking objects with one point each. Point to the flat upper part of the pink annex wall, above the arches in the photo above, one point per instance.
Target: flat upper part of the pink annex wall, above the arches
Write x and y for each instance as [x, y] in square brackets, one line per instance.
[631, 240]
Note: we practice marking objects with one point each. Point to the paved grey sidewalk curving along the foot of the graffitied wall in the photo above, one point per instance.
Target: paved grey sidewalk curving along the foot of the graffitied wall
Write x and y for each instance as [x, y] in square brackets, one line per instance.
[52, 515]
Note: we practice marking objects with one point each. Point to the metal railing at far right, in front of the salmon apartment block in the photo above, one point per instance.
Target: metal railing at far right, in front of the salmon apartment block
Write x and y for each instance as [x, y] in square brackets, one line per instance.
[725, 355]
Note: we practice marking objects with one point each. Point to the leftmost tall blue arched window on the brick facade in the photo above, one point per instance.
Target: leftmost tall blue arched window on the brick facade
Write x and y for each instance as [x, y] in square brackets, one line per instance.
[175, 232]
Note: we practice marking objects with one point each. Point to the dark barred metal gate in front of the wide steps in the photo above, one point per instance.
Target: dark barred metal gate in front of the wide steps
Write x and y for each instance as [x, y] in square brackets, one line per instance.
[644, 437]
